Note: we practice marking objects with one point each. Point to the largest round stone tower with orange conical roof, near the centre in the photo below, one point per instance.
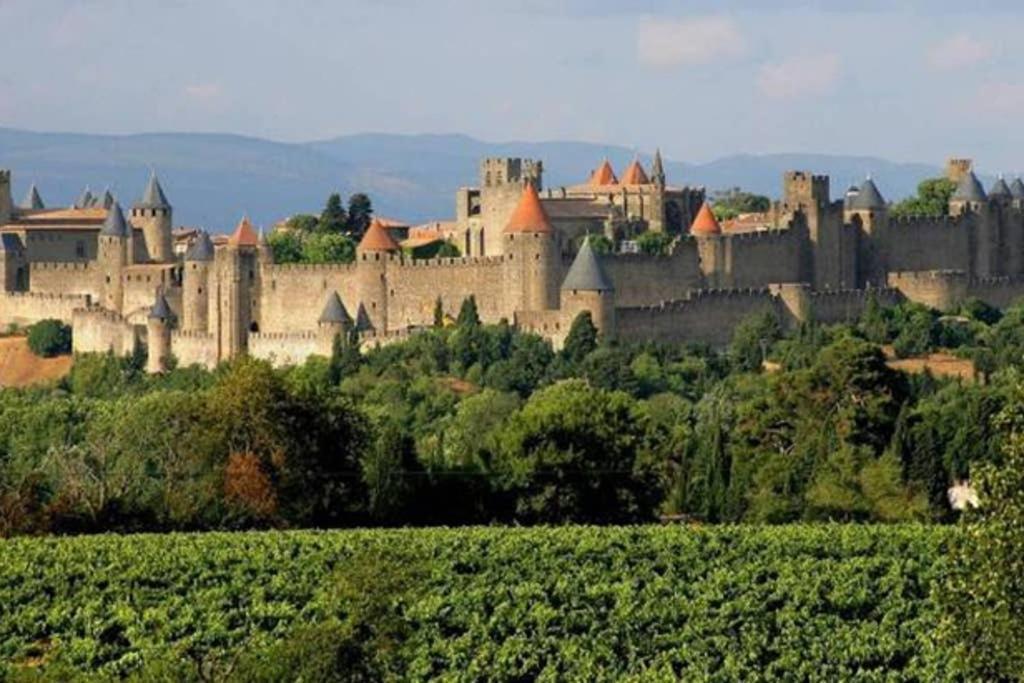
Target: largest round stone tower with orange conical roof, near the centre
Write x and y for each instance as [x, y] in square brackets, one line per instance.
[531, 257]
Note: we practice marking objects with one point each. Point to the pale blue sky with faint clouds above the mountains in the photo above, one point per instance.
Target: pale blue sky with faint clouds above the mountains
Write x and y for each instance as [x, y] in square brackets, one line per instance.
[913, 81]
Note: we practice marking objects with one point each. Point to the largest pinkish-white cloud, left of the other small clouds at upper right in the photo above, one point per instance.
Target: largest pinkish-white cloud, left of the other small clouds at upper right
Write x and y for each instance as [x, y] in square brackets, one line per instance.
[688, 42]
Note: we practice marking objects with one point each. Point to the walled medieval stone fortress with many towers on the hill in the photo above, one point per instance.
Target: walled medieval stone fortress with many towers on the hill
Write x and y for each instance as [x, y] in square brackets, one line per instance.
[114, 276]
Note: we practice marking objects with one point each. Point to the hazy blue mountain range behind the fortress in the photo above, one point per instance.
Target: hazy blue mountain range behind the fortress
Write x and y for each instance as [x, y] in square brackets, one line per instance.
[214, 180]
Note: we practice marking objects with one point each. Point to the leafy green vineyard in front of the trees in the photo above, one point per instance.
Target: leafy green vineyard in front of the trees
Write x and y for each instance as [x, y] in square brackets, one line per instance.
[800, 603]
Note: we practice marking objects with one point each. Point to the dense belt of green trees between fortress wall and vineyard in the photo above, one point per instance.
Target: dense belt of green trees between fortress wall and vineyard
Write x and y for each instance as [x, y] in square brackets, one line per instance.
[476, 424]
